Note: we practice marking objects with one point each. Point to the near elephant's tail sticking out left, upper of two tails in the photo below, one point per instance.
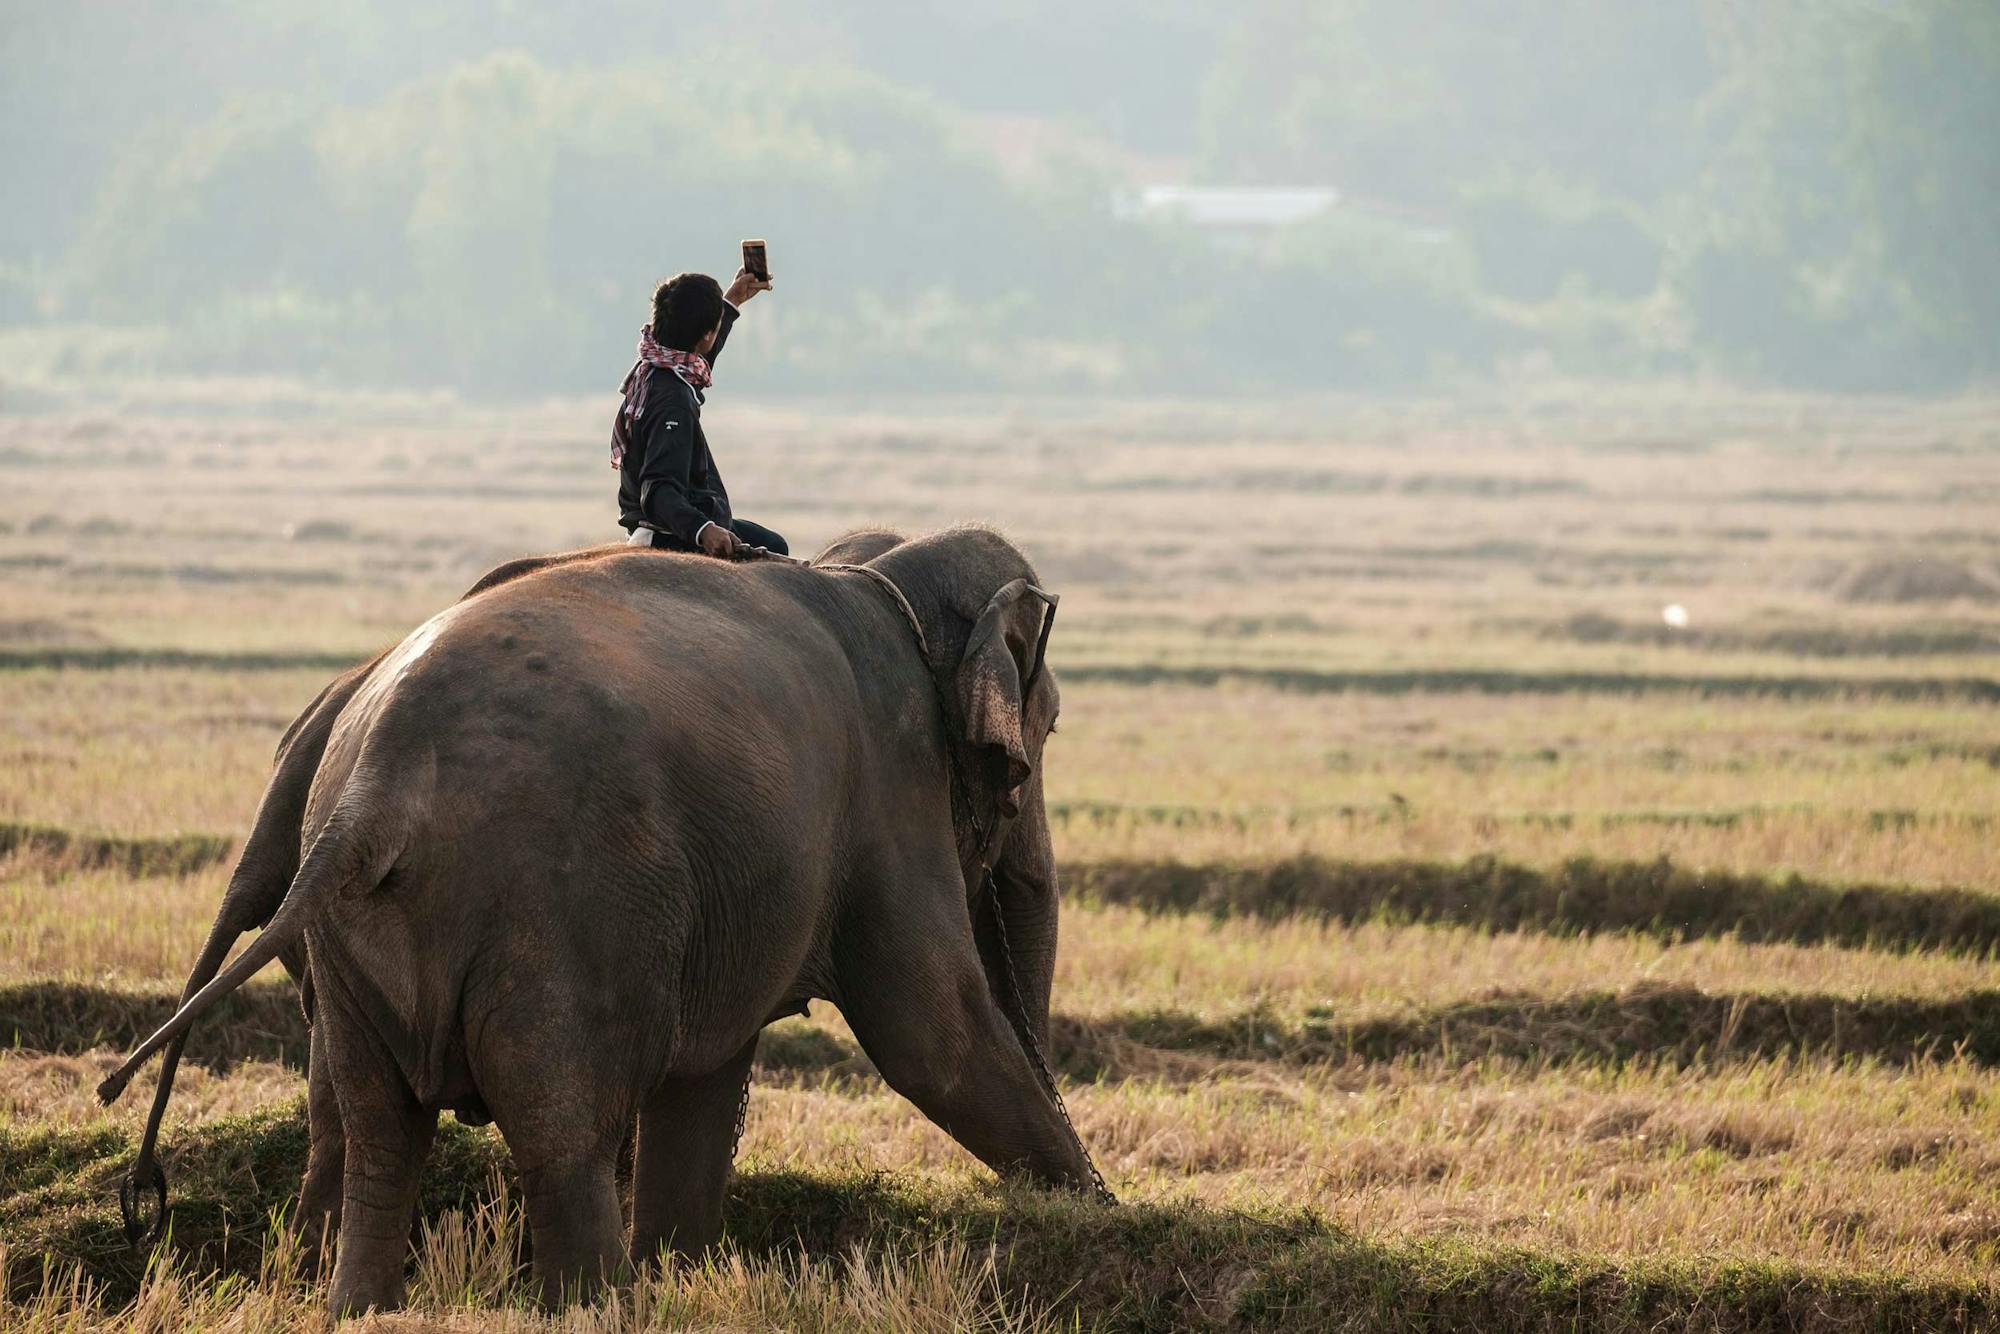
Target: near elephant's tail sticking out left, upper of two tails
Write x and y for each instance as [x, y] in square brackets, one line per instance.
[355, 849]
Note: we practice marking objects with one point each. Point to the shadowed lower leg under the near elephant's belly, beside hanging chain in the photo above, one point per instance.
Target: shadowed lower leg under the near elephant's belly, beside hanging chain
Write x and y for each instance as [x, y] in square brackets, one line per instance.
[687, 1135]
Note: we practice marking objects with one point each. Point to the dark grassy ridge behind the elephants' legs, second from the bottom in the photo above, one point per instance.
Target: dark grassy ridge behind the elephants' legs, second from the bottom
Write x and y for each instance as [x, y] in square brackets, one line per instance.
[1667, 1025]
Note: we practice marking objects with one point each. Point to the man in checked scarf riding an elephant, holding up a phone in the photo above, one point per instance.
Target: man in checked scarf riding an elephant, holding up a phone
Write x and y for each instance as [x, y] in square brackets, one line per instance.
[669, 489]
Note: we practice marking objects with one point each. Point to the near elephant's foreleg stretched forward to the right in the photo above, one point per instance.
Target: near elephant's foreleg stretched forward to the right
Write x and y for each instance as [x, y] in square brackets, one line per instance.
[915, 993]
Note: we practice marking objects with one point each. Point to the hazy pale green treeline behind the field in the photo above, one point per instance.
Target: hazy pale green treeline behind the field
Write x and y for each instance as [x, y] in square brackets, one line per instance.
[481, 193]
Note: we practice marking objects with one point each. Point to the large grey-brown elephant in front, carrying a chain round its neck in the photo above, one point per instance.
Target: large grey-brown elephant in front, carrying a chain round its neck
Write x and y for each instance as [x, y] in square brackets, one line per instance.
[583, 835]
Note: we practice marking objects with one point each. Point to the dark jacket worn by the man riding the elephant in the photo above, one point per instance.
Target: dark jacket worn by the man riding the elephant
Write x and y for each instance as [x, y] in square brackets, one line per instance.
[669, 479]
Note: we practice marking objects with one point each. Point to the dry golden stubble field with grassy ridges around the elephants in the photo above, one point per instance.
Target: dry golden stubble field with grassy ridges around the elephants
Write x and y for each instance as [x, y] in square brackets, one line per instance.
[1451, 941]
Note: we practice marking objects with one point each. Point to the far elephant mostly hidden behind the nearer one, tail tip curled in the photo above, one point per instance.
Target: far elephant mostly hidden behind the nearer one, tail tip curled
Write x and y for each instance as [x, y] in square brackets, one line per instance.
[265, 869]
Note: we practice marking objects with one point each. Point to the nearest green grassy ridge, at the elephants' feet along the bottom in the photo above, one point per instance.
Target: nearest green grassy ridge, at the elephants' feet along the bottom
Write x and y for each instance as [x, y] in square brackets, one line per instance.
[1137, 1267]
